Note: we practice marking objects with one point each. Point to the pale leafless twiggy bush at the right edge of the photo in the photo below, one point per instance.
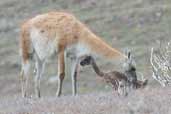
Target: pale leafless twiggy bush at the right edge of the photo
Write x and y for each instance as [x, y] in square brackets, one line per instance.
[161, 64]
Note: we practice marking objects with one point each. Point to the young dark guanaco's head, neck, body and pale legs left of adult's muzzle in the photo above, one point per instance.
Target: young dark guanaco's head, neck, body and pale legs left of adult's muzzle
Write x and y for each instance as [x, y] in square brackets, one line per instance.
[117, 79]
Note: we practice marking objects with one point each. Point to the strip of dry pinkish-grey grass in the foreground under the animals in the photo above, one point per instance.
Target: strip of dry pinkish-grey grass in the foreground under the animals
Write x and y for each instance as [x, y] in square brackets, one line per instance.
[146, 101]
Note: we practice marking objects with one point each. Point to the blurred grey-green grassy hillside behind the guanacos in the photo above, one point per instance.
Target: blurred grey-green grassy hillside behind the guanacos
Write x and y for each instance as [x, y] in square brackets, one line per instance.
[134, 24]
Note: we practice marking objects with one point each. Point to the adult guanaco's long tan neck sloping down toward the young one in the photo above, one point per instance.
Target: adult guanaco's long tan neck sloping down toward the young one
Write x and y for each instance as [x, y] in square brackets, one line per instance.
[98, 46]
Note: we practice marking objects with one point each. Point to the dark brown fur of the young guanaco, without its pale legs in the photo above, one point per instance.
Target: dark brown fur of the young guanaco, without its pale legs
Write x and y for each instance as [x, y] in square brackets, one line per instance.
[112, 77]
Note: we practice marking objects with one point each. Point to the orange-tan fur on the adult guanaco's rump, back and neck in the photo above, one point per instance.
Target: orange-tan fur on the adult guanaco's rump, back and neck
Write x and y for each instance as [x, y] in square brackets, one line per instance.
[70, 31]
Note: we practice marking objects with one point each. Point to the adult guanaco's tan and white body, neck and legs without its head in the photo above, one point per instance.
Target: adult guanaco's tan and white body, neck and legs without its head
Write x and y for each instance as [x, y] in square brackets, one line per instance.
[60, 33]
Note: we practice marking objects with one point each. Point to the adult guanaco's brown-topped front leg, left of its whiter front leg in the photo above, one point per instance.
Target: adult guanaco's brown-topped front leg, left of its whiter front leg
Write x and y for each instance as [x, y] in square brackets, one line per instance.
[61, 72]
